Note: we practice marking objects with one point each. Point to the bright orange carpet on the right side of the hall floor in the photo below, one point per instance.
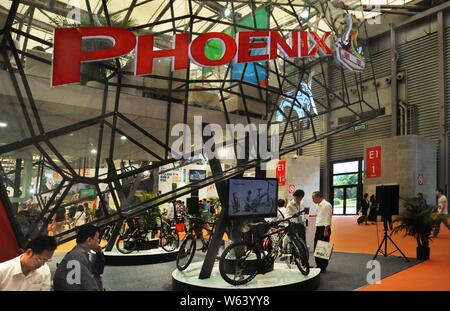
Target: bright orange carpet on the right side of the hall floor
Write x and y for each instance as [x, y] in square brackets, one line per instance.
[430, 275]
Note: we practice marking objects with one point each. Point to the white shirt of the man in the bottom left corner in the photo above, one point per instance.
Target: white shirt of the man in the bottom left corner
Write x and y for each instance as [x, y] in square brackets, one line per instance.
[13, 279]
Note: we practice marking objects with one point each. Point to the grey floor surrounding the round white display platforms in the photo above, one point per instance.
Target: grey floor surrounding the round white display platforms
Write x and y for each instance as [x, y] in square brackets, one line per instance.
[346, 271]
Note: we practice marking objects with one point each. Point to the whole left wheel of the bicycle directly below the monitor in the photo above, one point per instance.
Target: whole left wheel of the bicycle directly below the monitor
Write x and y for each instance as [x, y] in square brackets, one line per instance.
[239, 263]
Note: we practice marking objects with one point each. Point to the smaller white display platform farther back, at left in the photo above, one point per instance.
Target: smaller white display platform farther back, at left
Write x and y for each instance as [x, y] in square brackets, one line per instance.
[142, 257]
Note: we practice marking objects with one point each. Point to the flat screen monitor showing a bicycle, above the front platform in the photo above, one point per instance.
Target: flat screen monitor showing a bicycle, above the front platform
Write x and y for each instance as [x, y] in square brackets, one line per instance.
[252, 197]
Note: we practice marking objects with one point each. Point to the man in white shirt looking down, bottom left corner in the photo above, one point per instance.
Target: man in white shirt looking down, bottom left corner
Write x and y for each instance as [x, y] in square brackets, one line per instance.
[29, 271]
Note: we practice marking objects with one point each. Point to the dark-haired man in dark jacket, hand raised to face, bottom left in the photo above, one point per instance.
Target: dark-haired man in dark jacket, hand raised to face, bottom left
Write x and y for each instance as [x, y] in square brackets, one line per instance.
[82, 267]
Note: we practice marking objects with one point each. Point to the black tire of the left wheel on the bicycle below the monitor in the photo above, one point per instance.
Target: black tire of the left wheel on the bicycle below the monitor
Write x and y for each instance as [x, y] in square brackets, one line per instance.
[246, 273]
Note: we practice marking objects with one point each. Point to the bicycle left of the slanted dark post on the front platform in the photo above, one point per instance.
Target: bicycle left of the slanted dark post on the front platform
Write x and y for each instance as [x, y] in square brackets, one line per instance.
[195, 228]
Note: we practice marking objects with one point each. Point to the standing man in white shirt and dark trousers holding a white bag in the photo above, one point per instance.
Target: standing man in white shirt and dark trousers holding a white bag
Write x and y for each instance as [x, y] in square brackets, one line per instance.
[323, 225]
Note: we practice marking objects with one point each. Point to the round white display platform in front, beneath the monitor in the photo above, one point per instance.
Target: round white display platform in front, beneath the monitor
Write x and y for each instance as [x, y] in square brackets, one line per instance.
[281, 278]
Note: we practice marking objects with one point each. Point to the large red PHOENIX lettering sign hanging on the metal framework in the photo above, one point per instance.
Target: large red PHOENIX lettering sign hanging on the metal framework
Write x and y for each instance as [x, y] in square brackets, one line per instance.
[68, 53]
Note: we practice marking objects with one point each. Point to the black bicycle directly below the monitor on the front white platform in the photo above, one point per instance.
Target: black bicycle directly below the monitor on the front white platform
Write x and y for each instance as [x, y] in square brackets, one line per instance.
[242, 261]
